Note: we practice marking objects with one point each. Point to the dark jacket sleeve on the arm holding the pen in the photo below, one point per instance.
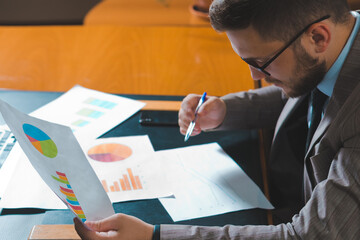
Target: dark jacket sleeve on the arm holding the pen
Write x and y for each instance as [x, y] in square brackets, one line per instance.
[259, 108]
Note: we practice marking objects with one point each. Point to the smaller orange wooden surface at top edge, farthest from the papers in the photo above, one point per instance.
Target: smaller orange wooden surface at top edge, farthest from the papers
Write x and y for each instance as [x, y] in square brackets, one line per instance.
[144, 12]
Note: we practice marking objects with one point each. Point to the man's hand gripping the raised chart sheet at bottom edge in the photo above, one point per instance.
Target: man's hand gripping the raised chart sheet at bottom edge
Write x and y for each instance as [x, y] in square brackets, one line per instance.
[118, 226]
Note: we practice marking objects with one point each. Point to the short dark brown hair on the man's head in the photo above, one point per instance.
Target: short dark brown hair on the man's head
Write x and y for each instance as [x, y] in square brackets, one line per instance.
[274, 19]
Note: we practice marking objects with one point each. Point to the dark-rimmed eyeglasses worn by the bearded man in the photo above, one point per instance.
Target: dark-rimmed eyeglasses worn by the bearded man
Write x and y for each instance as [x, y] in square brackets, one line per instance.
[255, 65]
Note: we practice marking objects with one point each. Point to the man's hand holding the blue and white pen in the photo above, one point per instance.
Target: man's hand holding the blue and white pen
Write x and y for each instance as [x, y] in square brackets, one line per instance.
[210, 115]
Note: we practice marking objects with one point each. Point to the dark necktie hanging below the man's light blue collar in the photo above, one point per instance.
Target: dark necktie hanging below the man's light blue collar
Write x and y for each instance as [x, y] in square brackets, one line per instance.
[315, 110]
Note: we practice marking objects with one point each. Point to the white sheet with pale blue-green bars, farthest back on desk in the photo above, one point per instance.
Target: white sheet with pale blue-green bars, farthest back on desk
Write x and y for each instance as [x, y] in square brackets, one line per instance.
[87, 112]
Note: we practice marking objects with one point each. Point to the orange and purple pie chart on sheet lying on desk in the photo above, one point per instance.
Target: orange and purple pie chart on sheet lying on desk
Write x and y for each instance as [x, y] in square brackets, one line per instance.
[109, 152]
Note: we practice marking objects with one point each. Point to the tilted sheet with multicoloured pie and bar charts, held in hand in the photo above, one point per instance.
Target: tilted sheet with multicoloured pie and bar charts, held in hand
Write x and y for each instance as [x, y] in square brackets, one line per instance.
[58, 158]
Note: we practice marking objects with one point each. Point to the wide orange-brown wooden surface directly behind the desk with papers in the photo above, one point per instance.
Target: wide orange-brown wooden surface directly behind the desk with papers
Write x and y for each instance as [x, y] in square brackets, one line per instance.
[121, 59]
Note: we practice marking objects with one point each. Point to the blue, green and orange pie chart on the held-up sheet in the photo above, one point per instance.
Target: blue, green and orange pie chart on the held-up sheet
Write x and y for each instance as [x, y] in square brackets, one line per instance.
[40, 140]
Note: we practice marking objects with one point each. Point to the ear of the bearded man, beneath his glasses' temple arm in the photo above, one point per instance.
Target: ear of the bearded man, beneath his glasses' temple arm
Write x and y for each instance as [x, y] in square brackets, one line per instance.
[319, 37]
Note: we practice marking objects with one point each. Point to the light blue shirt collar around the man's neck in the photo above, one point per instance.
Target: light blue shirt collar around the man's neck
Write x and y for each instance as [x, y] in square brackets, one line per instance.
[327, 84]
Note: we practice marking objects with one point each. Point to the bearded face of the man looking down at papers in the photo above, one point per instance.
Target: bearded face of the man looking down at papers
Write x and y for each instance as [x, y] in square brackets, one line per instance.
[295, 71]
